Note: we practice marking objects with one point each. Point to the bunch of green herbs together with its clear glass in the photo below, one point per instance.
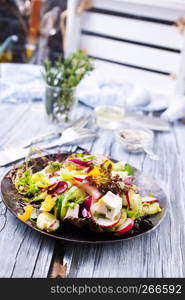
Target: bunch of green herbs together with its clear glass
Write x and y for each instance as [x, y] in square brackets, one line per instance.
[62, 78]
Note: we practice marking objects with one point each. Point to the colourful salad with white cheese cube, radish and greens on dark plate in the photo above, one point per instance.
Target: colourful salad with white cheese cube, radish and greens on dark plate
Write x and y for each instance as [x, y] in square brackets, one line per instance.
[86, 190]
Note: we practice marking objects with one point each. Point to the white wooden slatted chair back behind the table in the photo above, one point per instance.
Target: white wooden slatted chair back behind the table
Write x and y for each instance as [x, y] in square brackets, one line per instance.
[141, 40]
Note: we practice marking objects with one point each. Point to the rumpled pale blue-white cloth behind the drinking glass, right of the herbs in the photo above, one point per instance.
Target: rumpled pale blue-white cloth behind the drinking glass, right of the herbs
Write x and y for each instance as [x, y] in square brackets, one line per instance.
[136, 98]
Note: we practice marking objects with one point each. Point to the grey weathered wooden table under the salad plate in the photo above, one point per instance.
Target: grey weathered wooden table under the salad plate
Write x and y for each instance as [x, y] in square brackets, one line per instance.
[26, 253]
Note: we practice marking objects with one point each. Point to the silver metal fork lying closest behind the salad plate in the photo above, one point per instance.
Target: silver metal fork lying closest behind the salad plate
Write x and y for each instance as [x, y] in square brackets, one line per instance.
[70, 135]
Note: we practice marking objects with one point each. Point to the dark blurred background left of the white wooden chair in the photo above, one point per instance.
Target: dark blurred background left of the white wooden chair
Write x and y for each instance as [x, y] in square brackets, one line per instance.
[35, 23]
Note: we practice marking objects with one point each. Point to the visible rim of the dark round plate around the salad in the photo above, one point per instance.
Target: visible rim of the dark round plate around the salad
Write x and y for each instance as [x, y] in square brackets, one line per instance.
[69, 233]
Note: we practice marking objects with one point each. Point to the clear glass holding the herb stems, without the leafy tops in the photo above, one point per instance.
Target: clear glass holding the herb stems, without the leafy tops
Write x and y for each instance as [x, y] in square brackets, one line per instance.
[59, 103]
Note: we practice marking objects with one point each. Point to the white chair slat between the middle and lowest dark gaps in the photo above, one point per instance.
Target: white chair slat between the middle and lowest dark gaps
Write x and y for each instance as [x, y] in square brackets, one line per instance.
[146, 57]
